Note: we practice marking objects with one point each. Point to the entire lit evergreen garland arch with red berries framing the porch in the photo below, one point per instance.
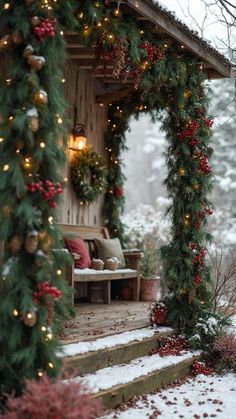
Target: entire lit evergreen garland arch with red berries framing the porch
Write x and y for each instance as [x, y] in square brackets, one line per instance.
[166, 78]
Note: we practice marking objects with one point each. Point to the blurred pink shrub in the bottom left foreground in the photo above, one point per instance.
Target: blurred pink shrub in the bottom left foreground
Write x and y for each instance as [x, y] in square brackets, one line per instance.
[52, 399]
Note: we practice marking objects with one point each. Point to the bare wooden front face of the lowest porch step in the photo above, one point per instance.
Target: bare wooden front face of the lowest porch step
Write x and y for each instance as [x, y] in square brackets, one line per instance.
[116, 395]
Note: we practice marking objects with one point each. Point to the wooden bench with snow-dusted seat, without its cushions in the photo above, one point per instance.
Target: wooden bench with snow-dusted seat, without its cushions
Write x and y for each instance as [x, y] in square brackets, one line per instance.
[131, 274]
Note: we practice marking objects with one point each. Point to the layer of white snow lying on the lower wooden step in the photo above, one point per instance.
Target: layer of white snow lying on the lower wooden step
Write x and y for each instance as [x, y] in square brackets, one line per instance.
[121, 374]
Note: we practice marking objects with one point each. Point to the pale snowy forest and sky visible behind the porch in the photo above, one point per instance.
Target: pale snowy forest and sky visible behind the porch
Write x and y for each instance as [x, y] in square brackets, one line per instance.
[144, 162]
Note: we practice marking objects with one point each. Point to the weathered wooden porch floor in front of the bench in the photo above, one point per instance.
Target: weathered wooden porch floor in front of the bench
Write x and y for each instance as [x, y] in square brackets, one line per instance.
[99, 320]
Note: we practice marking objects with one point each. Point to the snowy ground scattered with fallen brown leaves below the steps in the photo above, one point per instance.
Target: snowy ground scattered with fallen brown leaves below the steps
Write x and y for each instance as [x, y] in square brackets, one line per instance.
[200, 397]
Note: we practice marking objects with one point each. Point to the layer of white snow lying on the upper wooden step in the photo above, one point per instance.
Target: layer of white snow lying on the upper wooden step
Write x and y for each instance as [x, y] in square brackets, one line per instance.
[111, 341]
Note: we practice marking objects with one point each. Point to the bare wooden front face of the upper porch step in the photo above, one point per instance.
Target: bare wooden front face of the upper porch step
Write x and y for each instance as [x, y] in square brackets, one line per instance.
[121, 354]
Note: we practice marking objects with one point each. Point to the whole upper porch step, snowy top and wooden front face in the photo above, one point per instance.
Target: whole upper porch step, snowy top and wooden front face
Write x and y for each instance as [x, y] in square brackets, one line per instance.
[86, 357]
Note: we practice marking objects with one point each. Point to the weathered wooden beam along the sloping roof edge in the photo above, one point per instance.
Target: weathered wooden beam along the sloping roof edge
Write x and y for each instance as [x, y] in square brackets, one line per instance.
[158, 17]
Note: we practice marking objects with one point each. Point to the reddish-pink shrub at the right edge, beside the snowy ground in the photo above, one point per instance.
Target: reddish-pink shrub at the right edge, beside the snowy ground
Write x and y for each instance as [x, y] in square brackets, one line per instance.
[225, 347]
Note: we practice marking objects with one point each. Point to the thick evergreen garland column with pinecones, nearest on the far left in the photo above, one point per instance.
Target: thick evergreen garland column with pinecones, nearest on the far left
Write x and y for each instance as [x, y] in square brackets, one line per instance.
[32, 108]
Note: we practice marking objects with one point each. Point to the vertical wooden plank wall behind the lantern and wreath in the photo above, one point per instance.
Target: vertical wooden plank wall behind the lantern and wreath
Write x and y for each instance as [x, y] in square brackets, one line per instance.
[81, 90]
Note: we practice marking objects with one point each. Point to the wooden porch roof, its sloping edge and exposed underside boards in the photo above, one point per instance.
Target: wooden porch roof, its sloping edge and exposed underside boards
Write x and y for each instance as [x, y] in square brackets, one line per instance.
[165, 26]
